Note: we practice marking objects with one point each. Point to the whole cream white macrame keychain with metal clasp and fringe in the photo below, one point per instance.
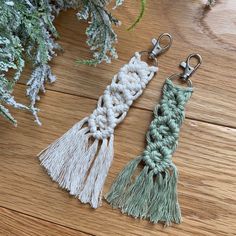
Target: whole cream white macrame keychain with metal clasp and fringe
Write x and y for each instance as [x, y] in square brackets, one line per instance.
[79, 161]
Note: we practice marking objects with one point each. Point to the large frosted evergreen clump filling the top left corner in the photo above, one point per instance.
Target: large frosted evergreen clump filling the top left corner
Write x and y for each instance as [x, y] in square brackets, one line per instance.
[27, 34]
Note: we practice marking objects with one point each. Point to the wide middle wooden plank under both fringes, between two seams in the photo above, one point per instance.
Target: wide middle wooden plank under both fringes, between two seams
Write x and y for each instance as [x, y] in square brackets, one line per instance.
[205, 159]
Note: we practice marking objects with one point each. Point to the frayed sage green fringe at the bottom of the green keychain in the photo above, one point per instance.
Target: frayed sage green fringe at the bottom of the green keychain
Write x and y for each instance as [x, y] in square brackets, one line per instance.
[150, 196]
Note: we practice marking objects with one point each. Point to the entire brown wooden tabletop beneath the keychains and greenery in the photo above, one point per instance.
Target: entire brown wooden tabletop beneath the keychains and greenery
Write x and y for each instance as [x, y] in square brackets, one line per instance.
[30, 204]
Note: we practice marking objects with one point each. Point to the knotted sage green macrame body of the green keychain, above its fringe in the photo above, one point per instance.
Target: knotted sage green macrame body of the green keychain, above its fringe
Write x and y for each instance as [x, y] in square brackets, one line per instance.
[162, 136]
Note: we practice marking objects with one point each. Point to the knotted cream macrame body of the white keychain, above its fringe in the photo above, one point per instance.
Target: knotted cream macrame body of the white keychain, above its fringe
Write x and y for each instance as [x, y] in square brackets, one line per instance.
[126, 86]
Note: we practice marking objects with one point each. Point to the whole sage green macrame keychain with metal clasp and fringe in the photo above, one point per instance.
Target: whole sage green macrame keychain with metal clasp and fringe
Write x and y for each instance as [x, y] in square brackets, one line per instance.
[152, 192]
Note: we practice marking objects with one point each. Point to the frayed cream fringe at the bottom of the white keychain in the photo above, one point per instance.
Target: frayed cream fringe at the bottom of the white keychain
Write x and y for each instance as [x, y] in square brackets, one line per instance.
[77, 165]
